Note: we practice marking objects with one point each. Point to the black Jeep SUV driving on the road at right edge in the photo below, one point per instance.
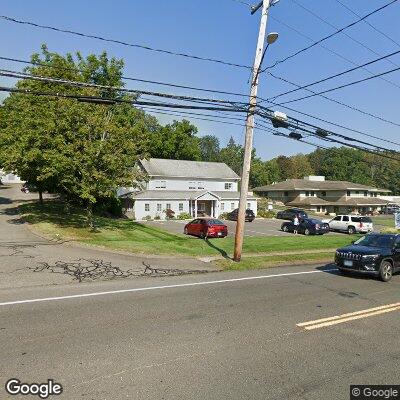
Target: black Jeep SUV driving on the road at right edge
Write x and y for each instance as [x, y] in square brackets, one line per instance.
[375, 254]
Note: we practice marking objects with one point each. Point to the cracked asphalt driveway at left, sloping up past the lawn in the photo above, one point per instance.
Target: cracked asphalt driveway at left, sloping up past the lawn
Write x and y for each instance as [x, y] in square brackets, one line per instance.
[22, 254]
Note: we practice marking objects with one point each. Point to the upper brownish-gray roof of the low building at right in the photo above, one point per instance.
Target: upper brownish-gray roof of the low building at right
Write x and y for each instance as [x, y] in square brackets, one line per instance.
[304, 184]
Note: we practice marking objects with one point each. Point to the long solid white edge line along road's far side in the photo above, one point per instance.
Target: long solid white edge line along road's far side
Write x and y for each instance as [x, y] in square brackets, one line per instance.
[75, 296]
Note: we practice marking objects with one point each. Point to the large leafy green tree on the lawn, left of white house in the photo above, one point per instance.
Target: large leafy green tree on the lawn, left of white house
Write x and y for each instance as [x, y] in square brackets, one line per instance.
[84, 151]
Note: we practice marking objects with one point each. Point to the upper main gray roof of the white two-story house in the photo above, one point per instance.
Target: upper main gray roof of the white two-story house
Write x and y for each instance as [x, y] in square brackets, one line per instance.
[187, 169]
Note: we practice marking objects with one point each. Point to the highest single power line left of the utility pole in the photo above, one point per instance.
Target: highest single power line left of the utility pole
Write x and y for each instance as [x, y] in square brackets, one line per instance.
[123, 43]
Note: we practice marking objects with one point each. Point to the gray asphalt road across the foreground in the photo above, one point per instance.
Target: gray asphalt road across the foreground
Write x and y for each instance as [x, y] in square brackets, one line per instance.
[197, 337]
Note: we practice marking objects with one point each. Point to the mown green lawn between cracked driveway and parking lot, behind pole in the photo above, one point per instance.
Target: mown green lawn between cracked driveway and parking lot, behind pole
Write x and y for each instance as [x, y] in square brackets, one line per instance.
[55, 221]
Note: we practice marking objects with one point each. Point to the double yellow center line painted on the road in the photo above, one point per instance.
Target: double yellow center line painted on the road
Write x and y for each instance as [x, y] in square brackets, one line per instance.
[339, 319]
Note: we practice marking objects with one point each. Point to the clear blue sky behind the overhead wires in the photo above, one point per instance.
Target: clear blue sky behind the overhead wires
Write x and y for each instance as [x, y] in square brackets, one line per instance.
[224, 29]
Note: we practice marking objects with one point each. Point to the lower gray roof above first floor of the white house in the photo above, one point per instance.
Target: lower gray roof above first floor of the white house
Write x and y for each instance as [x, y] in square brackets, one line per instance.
[185, 195]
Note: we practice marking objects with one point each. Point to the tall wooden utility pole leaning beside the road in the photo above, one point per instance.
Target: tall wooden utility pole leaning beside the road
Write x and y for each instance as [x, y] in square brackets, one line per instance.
[248, 144]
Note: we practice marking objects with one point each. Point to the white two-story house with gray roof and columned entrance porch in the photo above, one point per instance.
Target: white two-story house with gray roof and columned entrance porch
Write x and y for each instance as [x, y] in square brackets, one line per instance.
[192, 187]
